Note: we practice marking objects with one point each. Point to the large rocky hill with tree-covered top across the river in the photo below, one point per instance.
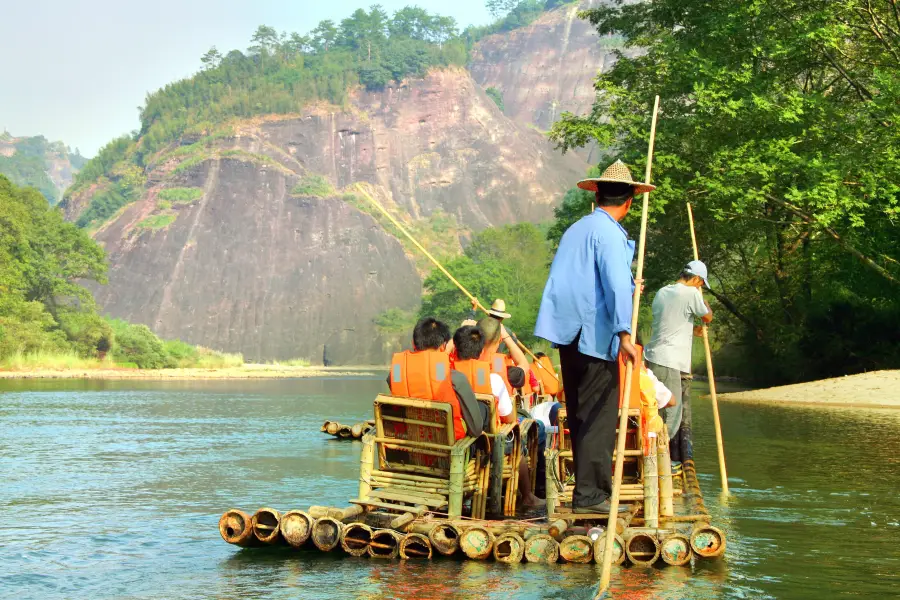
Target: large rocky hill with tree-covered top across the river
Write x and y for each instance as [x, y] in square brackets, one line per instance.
[234, 217]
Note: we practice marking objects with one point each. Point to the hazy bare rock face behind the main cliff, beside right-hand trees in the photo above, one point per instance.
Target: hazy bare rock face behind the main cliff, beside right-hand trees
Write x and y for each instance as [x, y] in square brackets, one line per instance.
[546, 68]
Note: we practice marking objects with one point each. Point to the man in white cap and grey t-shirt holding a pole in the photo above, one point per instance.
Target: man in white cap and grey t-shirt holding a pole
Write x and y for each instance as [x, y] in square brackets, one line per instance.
[669, 352]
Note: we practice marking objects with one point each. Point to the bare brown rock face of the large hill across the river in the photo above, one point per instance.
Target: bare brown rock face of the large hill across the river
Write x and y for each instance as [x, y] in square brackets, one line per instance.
[245, 255]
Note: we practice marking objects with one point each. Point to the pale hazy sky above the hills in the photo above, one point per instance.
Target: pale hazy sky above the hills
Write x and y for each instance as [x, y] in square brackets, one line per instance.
[77, 70]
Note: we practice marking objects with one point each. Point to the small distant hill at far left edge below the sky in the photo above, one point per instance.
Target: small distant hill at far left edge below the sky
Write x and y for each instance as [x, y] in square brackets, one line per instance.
[33, 161]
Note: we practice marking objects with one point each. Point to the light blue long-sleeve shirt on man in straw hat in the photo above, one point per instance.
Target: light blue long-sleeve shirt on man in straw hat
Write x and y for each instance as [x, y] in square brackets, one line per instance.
[590, 287]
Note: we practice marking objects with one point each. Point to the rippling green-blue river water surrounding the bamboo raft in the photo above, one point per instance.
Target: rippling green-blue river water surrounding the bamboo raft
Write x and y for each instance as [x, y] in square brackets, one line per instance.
[114, 490]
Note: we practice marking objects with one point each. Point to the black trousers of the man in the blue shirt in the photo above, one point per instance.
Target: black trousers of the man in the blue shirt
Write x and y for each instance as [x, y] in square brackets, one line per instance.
[592, 407]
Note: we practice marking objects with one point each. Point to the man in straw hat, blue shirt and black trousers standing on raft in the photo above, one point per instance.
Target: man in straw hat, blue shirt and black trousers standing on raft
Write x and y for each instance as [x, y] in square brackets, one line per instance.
[586, 311]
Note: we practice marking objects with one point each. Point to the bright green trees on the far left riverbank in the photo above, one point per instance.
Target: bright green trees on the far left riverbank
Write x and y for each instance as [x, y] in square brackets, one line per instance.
[47, 319]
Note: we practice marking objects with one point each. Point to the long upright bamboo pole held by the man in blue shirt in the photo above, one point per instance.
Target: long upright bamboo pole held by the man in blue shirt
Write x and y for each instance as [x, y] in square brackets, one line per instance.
[629, 369]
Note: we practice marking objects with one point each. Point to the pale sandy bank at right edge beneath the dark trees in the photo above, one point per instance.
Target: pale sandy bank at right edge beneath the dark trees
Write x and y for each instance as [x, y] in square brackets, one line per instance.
[875, 389]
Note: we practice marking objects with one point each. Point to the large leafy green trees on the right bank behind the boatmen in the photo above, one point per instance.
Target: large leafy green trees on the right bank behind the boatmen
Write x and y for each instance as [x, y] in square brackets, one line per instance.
[779, 123]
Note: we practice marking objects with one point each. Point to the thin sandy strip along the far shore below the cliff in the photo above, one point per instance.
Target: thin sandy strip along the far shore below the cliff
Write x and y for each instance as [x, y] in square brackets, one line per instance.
[244, 372]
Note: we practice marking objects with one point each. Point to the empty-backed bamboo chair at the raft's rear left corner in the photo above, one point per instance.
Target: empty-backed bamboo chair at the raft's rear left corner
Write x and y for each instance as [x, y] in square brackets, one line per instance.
[412, 460]
